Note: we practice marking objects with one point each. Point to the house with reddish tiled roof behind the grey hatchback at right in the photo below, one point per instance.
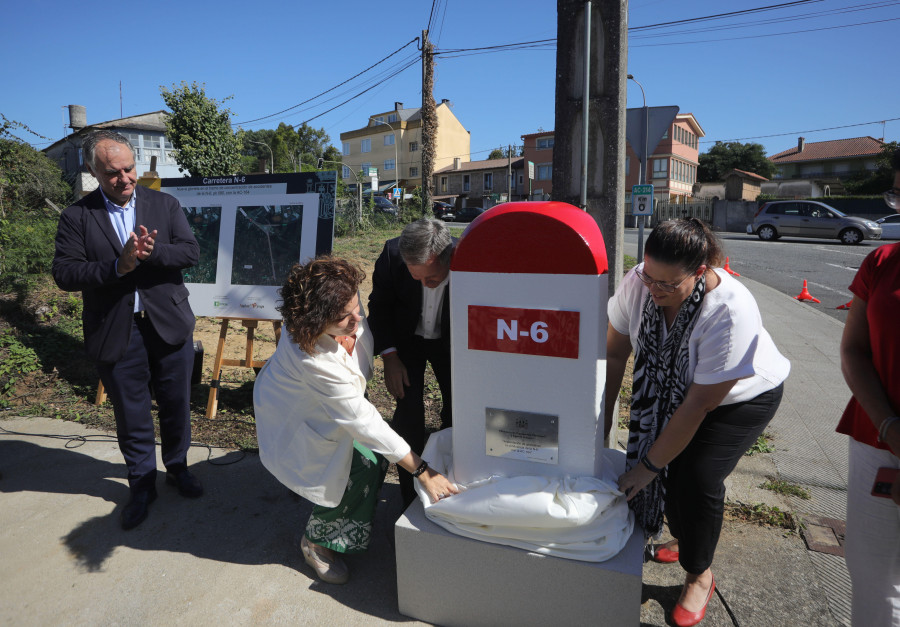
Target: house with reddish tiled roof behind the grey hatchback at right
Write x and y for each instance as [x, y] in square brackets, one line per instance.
[826, 165]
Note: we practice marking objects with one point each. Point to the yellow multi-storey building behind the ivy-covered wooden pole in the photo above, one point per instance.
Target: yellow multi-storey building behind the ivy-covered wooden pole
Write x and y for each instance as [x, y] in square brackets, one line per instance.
[392, 143]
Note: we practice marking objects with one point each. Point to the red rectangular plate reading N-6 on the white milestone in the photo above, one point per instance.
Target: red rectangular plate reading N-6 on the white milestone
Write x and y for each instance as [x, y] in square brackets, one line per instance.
[543, 332]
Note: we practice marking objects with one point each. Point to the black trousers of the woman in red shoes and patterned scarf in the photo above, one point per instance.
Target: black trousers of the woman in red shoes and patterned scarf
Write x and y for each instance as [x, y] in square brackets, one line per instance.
[695, 484]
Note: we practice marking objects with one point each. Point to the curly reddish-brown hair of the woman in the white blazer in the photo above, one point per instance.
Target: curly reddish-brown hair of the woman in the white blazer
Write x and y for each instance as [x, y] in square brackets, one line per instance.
[315, 295]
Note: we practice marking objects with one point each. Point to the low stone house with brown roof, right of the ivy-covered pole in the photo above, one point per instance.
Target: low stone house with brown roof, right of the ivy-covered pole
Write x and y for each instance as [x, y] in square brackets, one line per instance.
[479, 183]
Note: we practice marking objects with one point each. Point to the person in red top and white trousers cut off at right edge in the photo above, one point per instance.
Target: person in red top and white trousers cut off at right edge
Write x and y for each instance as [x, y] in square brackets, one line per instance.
[870, 362]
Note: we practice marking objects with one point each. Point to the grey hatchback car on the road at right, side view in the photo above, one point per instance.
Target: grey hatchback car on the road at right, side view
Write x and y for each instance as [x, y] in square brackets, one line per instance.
[810, 218]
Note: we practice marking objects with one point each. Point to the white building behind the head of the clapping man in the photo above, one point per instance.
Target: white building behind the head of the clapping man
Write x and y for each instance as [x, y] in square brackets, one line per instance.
[146, 132]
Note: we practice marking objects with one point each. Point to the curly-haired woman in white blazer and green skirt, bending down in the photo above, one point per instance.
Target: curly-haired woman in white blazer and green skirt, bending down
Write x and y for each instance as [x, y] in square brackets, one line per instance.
[317, 432]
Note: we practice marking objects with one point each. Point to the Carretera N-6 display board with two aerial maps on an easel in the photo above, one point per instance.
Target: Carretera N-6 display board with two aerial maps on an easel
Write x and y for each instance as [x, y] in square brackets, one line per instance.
[252, 229]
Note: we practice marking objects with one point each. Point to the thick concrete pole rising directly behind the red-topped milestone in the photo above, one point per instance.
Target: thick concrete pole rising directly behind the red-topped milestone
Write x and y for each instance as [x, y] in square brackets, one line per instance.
[592, 32]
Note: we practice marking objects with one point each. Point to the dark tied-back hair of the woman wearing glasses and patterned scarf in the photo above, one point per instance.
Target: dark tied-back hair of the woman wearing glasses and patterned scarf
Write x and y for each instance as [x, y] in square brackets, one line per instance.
[687, 243]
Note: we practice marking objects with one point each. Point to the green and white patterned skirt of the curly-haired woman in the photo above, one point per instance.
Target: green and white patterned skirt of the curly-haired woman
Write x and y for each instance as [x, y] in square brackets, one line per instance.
[347, 528]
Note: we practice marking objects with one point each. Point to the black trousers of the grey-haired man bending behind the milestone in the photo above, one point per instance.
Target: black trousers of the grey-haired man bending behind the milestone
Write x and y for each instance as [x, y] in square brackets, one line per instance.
[409, 416]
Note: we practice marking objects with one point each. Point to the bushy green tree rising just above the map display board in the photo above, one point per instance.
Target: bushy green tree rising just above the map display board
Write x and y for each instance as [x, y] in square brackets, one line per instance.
[201, 132]
